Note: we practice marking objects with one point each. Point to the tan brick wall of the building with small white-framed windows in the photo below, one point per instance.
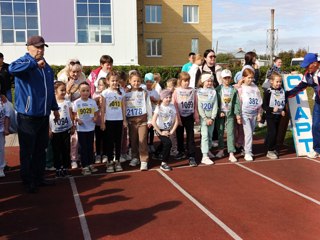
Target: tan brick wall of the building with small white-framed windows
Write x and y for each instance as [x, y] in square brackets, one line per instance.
[176, 36]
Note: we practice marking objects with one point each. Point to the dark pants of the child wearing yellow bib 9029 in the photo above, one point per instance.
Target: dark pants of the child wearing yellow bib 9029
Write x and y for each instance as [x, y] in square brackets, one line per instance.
[85, 140]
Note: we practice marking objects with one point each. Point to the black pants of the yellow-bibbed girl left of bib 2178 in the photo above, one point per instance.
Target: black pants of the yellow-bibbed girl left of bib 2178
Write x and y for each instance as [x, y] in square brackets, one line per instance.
[113, 138]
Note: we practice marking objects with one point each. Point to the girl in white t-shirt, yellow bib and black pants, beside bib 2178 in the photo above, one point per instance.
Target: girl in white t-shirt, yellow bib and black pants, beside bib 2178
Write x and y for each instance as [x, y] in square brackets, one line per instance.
[113, 120]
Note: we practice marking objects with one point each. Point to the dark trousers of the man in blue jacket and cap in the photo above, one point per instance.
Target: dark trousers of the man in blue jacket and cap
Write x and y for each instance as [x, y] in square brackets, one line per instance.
[33, 140]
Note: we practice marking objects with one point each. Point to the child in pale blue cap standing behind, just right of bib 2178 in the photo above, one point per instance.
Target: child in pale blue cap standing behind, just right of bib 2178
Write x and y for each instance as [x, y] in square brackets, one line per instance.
[154, 98]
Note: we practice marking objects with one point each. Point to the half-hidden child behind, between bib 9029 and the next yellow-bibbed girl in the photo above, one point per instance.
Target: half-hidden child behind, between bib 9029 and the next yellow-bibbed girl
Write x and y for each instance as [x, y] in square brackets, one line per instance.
[101, 152]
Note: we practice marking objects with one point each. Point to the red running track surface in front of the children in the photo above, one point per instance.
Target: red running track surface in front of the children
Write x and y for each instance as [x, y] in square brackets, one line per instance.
[145, 205]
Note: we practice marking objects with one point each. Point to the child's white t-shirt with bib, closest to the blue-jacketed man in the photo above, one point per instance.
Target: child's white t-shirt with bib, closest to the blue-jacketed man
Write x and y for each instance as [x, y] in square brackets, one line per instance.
[65, 122]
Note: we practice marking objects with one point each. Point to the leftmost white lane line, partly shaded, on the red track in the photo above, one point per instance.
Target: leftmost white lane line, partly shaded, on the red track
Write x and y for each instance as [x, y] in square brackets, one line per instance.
[82, 216]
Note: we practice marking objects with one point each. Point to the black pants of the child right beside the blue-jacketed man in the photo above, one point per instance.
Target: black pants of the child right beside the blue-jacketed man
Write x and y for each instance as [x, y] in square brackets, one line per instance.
[61, 149]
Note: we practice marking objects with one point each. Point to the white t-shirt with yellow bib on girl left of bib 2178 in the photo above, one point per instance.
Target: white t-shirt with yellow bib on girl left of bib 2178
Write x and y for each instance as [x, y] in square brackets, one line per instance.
[113, 105]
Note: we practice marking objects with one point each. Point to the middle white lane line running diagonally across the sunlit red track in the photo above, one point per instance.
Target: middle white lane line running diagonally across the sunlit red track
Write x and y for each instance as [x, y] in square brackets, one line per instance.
[202, 208]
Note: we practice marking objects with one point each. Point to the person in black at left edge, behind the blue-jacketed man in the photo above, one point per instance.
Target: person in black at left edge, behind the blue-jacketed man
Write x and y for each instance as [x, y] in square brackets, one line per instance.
[6, 79]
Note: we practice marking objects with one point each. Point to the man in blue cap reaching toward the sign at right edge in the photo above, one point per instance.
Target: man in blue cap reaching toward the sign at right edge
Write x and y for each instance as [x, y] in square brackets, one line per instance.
[311, 78]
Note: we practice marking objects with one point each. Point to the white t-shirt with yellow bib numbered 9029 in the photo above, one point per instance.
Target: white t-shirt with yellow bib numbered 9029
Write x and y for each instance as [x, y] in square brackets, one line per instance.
[85, 111]
